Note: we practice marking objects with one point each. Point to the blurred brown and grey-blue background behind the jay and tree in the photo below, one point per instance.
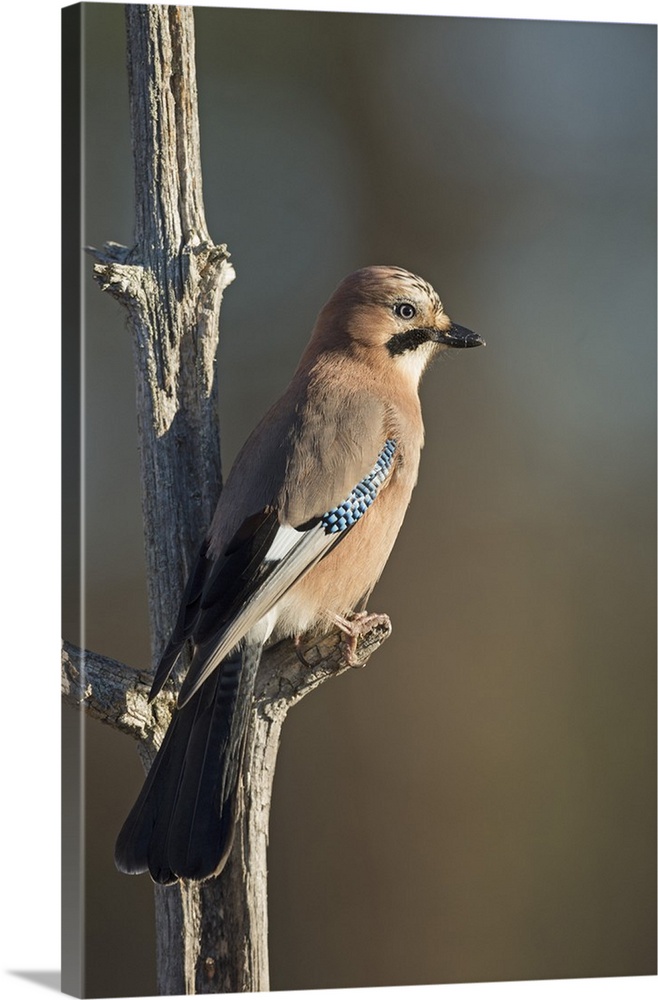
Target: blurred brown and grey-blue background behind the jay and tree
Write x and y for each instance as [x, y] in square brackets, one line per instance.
[478, 804]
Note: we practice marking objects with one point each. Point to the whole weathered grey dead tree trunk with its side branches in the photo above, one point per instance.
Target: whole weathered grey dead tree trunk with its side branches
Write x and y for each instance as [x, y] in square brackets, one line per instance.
[211, 937]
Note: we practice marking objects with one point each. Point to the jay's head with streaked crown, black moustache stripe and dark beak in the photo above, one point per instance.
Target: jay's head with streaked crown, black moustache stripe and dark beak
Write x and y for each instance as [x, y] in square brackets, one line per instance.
[389, 316]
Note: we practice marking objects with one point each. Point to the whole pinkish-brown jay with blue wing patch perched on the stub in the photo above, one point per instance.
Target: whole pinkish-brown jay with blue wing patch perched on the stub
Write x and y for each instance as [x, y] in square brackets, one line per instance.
[300, 536]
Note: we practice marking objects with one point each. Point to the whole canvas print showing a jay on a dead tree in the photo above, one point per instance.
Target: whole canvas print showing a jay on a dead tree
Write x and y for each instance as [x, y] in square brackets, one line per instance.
[359, 554]
